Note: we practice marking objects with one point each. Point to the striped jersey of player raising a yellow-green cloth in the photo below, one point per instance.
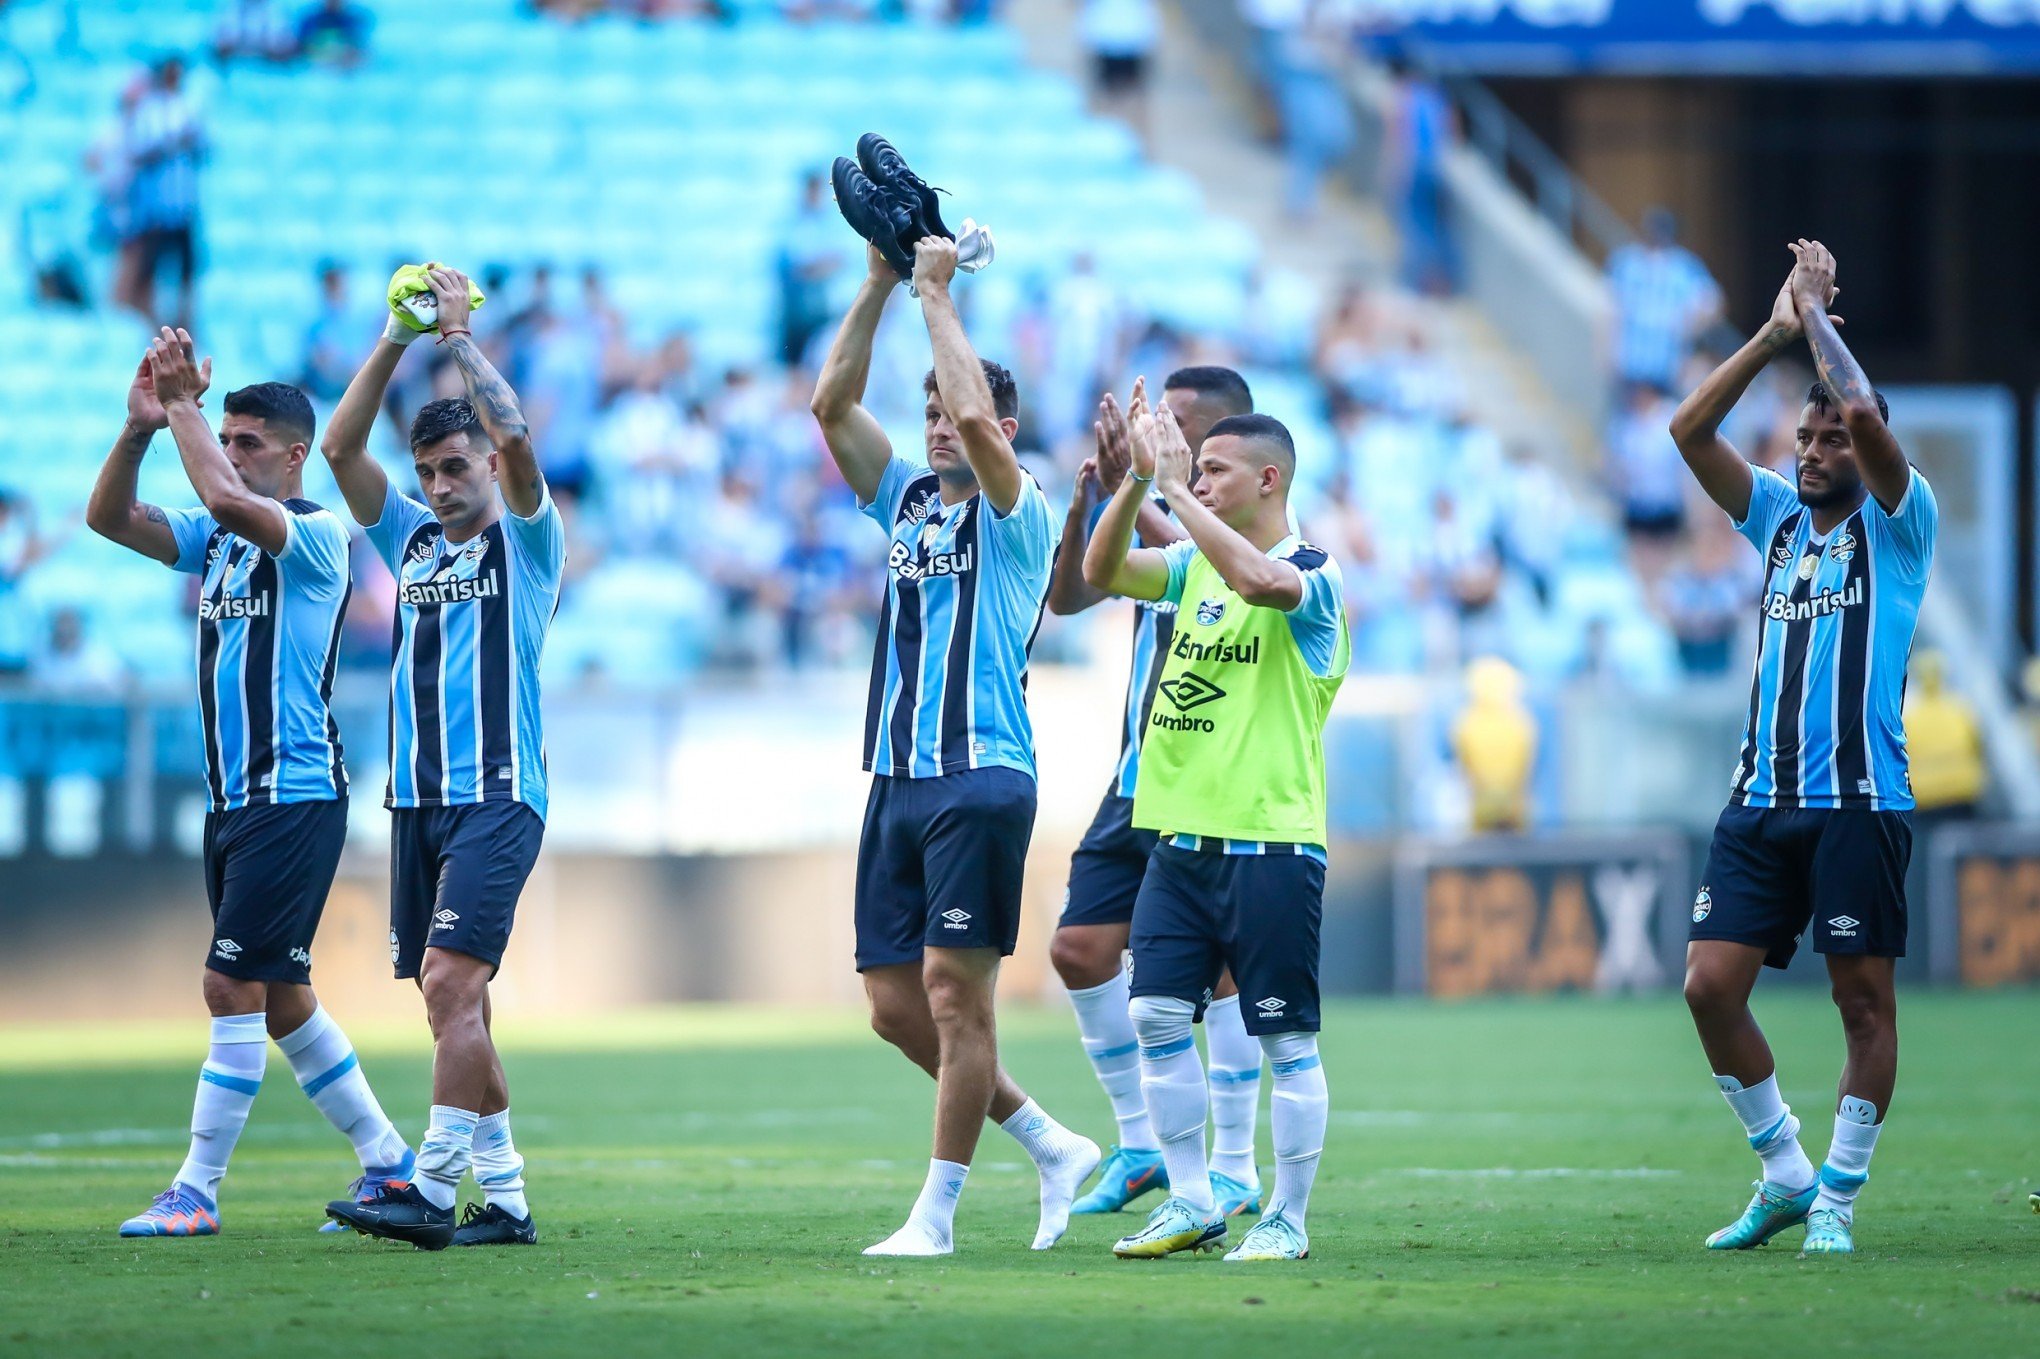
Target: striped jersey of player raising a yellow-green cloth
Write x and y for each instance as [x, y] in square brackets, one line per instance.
[470, 630]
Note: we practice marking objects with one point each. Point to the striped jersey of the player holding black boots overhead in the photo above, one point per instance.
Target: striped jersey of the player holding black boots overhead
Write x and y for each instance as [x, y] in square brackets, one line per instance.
[964, 593]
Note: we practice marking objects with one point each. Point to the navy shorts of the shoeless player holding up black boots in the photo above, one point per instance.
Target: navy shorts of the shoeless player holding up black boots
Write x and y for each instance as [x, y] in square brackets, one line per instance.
[939, 864]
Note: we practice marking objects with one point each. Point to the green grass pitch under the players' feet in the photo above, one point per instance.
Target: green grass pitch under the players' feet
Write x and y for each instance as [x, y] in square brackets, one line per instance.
[1504, 1178]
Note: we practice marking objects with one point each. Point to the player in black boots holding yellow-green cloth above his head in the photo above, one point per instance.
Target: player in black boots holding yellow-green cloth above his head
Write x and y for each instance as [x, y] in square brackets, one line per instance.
[478, 581]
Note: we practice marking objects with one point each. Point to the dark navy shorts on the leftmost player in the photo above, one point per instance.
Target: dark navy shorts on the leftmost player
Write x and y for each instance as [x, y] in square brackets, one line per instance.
[268, 874]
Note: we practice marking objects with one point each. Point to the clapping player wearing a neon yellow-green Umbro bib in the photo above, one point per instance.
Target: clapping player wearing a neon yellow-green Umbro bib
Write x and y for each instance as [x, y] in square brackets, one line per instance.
[1233, 781]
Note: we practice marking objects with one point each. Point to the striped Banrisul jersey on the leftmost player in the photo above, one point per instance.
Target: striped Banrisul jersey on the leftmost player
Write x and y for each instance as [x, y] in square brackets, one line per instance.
[268, 644]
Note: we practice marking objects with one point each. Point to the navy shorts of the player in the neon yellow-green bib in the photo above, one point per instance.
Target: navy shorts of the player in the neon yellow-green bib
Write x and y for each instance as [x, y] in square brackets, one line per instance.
[1203, 913]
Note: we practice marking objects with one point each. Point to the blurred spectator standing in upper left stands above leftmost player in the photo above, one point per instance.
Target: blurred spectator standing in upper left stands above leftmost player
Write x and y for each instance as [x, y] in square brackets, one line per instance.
[164, 150]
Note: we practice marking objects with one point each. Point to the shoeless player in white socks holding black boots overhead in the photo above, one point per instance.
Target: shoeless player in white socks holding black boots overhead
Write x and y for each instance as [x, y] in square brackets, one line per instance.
[948, 738]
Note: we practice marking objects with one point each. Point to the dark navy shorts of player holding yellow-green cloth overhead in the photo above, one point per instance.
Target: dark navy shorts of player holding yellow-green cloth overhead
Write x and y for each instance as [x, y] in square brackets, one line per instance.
[456, 874]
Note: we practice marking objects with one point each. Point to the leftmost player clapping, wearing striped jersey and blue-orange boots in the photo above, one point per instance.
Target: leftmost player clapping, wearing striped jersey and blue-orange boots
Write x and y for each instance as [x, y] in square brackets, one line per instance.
[274, 589]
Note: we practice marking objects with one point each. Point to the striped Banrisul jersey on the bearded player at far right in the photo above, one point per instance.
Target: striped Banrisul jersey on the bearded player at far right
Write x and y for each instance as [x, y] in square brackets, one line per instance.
[1839, 613]
